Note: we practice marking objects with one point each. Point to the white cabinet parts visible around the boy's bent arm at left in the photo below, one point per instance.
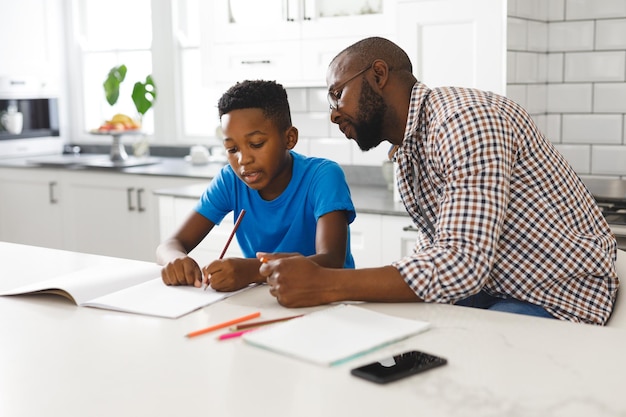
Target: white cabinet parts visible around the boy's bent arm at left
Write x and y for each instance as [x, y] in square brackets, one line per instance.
[175, 210]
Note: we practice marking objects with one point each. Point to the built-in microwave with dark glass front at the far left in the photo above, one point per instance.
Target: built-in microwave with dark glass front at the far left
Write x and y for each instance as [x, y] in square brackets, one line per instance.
[40, 133]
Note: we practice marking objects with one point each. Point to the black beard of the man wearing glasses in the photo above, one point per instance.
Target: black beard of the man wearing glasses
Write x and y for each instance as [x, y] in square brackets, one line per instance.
[369, 120]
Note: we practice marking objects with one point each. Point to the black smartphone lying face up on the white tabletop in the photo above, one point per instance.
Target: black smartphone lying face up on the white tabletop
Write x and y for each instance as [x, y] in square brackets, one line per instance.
[398, 366]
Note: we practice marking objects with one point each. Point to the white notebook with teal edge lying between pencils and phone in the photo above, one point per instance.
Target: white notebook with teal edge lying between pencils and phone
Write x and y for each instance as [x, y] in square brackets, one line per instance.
[334, 335]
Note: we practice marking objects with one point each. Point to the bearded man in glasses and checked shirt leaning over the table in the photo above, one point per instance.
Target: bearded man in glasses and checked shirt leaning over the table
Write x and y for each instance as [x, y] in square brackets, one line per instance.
[505, 223]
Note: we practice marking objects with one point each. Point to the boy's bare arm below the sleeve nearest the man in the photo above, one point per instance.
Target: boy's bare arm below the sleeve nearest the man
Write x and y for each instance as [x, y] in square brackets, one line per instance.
[331, 240]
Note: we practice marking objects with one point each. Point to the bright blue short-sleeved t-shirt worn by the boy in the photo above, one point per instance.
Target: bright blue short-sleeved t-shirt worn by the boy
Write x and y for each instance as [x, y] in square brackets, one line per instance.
[288, 223]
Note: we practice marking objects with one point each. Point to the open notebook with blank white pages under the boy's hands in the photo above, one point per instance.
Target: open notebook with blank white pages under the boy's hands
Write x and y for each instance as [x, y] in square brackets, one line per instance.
[124, 285]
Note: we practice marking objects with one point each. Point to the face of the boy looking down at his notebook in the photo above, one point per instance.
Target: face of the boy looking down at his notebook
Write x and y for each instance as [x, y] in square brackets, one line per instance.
[258, 151]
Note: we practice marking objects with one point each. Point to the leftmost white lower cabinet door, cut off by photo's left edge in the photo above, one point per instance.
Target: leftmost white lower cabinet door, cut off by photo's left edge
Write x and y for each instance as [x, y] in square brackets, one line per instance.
[31, 207]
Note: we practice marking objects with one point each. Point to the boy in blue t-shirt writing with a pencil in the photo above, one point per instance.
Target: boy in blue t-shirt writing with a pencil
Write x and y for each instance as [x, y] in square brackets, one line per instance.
[293, 203]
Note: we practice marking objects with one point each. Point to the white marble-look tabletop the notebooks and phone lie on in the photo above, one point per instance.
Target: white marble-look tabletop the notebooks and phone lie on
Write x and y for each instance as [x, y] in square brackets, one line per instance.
[57, 359]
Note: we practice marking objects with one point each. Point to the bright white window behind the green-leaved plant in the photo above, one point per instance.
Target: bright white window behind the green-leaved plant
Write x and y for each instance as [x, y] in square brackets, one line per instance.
[158, 37]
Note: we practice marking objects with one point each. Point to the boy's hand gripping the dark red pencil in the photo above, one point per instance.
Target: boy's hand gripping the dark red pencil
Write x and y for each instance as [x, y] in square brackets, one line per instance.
[231, 274]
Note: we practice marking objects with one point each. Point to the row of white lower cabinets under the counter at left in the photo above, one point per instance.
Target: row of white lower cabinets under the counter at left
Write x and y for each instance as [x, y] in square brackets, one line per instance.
[105, 213]
